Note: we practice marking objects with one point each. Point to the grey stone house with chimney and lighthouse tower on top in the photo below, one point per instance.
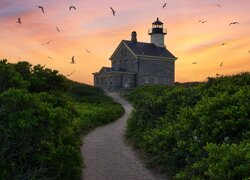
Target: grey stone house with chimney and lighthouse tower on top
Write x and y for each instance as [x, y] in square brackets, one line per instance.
[136, 63]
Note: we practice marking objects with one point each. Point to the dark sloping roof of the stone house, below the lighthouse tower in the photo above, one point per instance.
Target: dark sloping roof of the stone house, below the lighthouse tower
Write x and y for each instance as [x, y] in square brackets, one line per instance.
[148, 49]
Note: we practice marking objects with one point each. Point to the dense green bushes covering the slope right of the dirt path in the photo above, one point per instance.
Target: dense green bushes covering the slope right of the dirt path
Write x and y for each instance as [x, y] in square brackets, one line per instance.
[200, 131]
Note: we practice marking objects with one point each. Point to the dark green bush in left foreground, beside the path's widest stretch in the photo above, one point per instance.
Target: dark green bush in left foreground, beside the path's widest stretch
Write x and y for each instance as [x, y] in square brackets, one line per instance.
[33, 133]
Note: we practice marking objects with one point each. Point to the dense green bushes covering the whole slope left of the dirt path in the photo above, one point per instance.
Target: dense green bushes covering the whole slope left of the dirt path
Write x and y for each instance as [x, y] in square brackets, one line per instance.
[42, 117]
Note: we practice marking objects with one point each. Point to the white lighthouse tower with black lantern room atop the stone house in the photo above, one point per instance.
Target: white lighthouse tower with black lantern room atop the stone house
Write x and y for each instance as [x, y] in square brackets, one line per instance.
[157, 33]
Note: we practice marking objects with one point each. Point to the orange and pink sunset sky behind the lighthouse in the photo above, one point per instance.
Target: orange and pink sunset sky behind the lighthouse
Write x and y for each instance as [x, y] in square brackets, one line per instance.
[93, 27]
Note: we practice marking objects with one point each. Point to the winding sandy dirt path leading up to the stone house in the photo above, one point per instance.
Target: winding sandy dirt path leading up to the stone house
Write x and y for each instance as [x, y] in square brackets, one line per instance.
[107, 157]
